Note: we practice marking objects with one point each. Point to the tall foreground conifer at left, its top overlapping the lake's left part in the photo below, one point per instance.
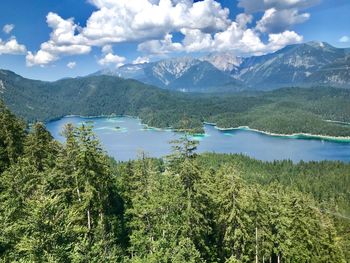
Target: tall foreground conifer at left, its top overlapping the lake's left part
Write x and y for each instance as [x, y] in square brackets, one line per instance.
[91, 186]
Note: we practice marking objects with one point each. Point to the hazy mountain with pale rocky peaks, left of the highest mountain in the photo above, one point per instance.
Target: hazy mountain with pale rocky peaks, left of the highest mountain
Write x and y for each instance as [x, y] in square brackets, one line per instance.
[185, 74]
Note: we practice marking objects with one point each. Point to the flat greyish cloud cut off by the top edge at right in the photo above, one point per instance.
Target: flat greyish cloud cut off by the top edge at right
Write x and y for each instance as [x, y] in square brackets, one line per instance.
[252, 6]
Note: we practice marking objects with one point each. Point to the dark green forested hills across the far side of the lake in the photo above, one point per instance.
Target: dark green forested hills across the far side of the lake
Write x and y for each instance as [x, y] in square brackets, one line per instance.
[289, 110]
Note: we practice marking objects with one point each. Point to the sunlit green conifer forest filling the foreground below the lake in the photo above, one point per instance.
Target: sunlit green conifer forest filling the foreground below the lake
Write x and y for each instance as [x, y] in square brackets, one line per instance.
[72, 203]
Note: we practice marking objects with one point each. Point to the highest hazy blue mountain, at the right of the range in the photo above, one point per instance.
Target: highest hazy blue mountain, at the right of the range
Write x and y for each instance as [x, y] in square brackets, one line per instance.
[292, 65]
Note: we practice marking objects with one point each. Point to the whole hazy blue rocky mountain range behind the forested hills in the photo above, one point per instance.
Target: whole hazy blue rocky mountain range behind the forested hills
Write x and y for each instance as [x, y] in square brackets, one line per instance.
[307, 64]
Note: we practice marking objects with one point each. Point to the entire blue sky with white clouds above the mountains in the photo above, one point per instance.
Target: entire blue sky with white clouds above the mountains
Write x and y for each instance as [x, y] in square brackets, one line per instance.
[53, 39]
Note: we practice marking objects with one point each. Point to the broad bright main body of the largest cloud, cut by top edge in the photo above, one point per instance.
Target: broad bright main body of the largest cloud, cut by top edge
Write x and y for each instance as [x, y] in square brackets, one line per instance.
[125, 20]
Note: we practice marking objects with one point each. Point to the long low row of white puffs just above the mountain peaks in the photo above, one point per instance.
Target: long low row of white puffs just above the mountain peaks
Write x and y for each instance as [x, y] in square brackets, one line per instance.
[242, 41]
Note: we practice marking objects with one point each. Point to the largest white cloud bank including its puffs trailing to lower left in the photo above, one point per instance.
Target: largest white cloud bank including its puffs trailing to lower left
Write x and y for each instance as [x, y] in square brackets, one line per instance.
[125, 20]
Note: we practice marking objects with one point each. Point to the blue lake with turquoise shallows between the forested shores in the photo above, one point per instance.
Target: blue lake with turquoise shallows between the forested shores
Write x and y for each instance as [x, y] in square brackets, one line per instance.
[124, 138]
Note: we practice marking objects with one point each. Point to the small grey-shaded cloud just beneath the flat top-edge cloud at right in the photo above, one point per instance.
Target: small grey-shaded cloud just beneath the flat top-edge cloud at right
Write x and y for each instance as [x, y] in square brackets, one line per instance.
[275, 20]
